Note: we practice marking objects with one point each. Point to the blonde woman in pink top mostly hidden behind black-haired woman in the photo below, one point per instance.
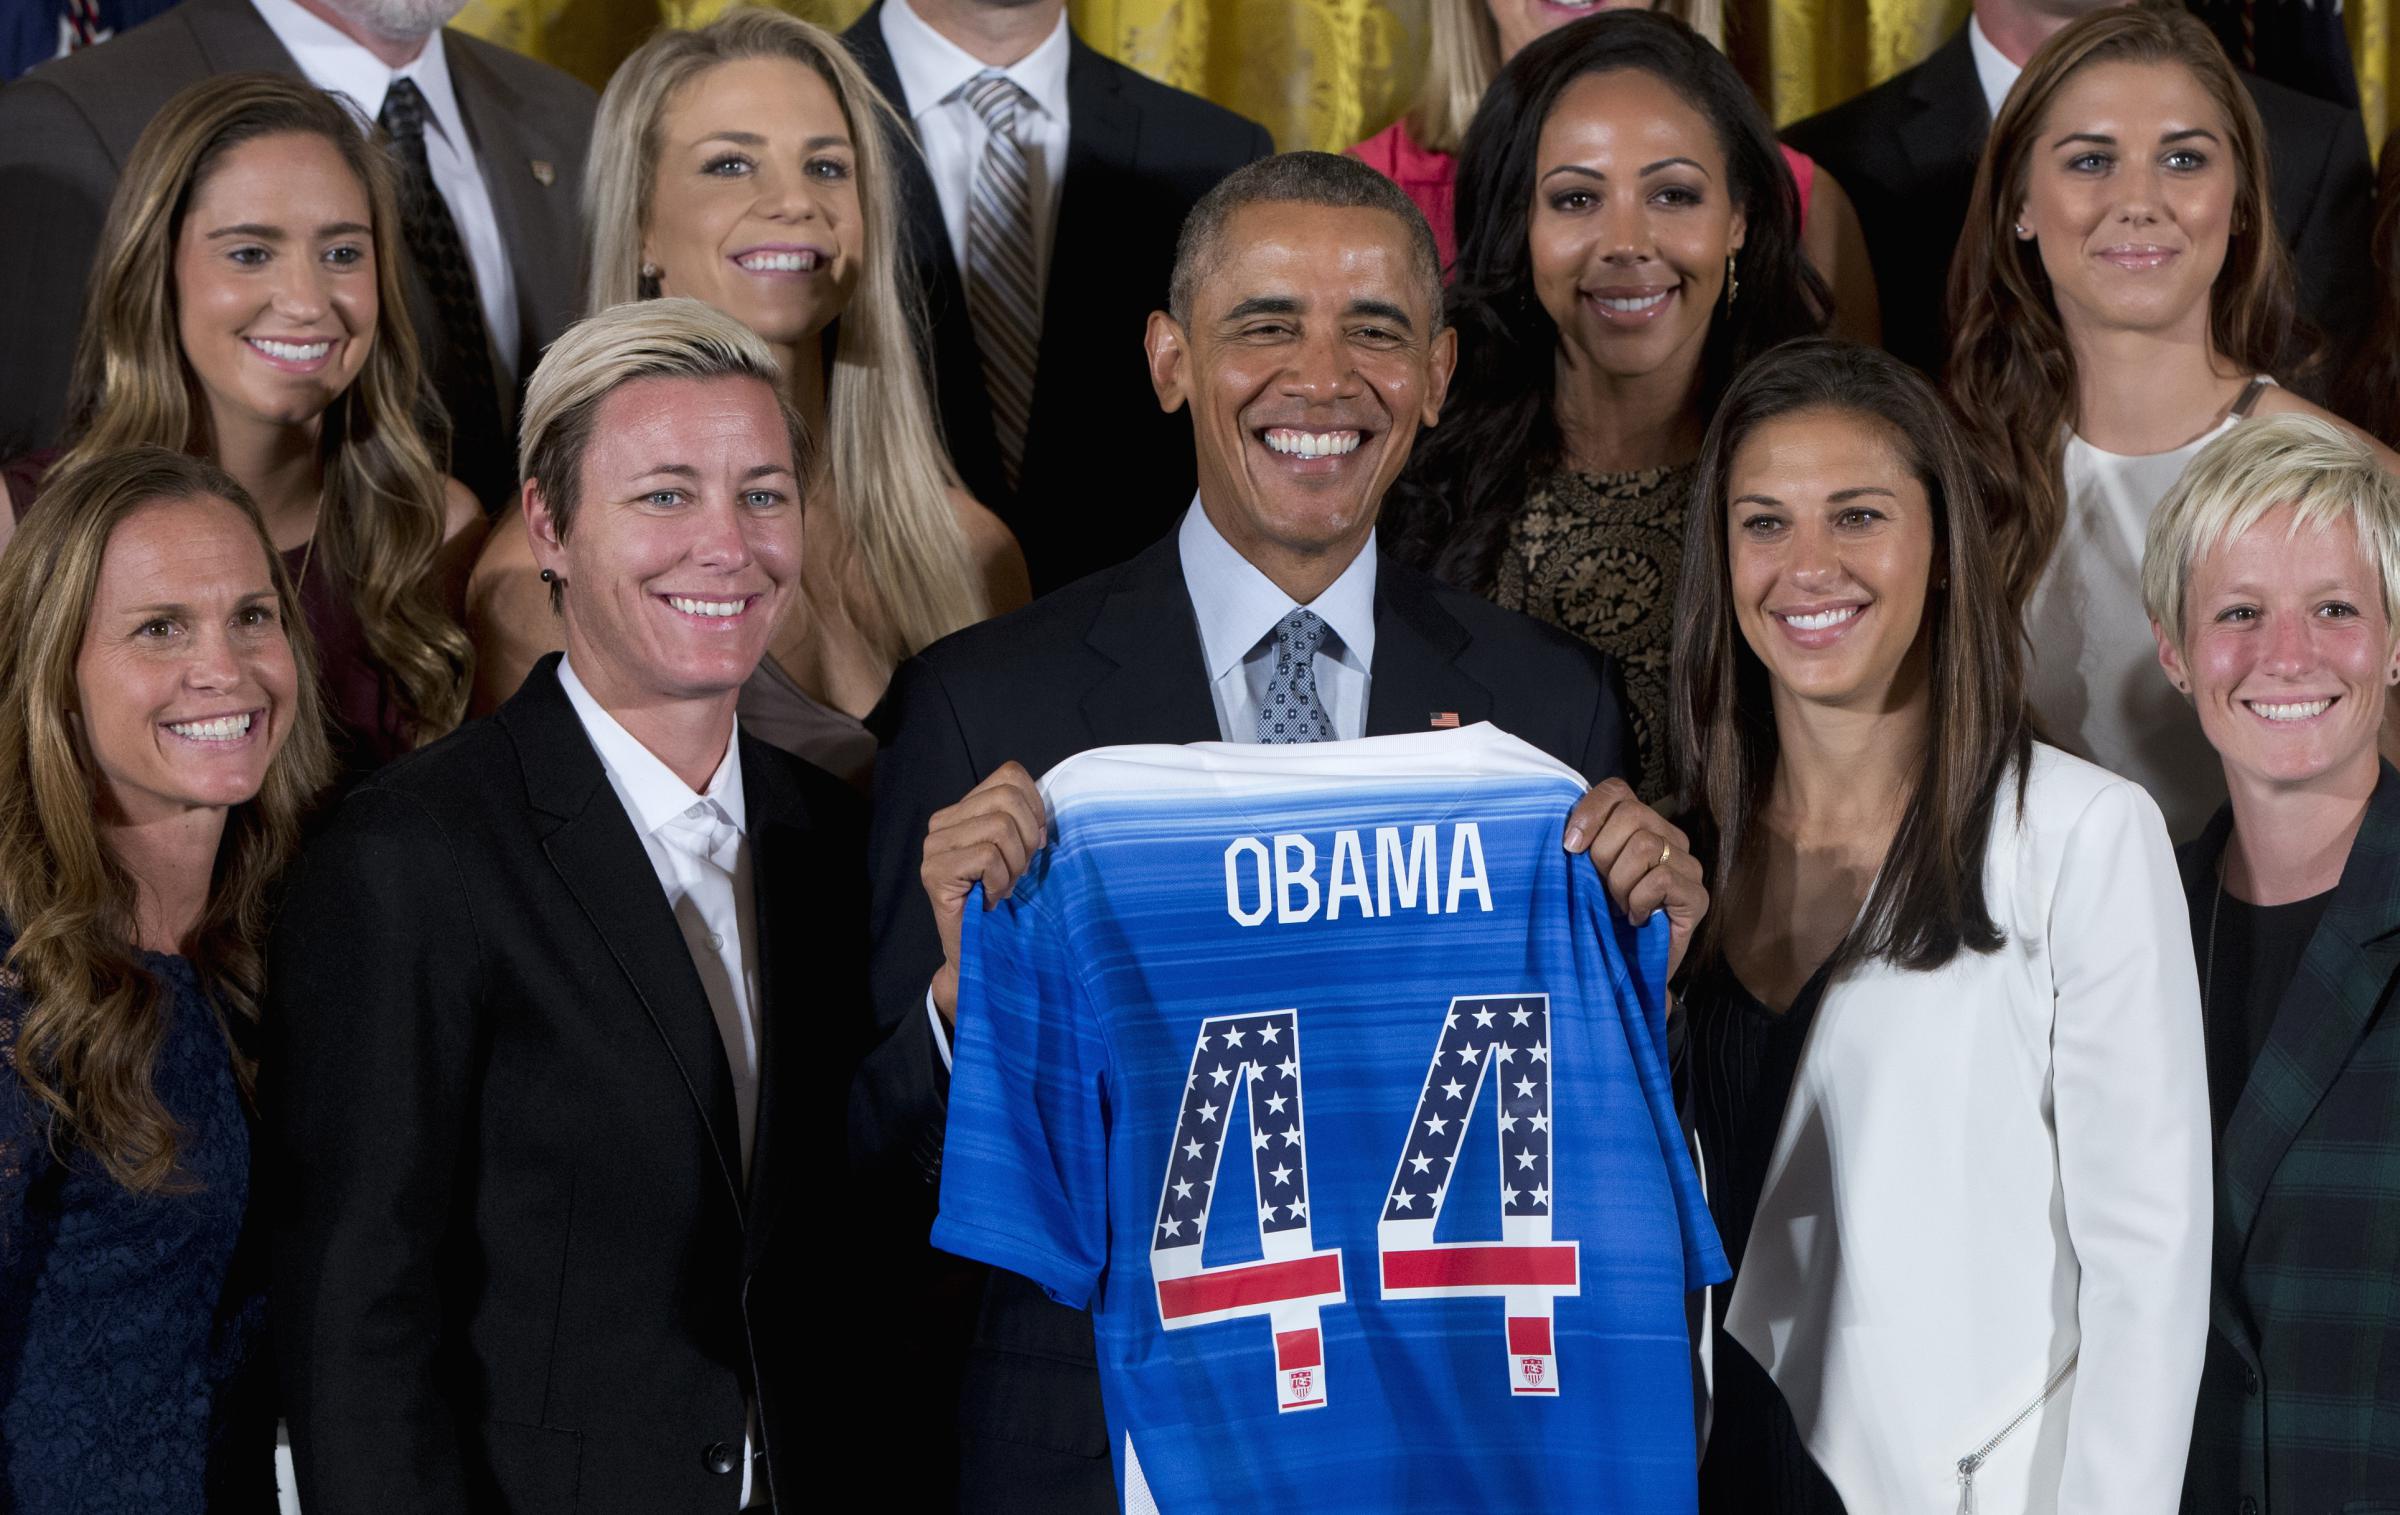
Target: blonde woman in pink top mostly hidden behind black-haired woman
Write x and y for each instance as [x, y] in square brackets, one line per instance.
[1468, 47]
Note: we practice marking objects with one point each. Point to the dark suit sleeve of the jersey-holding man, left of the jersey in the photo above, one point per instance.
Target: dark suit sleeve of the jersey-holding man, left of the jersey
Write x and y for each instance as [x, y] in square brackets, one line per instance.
[904, 1089]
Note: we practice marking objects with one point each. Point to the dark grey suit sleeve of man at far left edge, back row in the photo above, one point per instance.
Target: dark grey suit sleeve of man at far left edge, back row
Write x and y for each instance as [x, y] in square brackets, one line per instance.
[54, 179]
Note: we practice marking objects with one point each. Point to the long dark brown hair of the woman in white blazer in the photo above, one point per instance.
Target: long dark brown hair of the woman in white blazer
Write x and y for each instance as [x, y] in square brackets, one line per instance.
[1928, 899]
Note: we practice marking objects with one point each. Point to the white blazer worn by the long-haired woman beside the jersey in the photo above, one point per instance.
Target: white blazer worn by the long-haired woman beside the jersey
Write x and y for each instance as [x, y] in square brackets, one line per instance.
[1984, 1238]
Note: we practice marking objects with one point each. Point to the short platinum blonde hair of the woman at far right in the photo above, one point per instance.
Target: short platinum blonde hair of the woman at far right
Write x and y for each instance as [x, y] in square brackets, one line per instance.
[2315, 467]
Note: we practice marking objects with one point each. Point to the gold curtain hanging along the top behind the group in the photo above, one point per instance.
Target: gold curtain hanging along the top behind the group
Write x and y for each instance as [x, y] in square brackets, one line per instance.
[1326, 73]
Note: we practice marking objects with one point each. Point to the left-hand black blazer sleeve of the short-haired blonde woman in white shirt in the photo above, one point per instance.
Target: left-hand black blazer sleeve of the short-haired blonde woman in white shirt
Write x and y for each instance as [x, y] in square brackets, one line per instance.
[368, 1086]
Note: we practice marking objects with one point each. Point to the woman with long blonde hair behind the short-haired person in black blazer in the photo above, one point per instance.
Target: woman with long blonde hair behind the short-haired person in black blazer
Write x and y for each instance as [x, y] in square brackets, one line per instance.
[750, 164]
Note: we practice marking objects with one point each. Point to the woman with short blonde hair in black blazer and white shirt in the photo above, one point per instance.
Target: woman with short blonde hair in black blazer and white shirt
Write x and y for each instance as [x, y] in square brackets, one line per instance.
[563, 1007]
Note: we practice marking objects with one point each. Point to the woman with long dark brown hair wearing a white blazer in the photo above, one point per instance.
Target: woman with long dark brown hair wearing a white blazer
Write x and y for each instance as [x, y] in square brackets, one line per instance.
[1945, 1041]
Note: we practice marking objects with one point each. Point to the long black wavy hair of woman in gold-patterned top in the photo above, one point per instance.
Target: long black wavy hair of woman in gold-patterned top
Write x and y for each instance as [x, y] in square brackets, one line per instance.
[1470, 477]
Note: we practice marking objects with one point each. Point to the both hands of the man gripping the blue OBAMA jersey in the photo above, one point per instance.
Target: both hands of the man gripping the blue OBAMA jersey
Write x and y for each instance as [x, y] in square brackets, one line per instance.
[995, 832]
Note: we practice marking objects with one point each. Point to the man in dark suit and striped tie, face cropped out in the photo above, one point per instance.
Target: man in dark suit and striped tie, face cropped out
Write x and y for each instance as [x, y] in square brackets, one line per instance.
[1043, 205]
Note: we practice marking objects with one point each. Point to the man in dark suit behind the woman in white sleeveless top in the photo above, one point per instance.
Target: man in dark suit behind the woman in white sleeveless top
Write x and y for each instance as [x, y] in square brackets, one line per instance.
[1907, 155]
